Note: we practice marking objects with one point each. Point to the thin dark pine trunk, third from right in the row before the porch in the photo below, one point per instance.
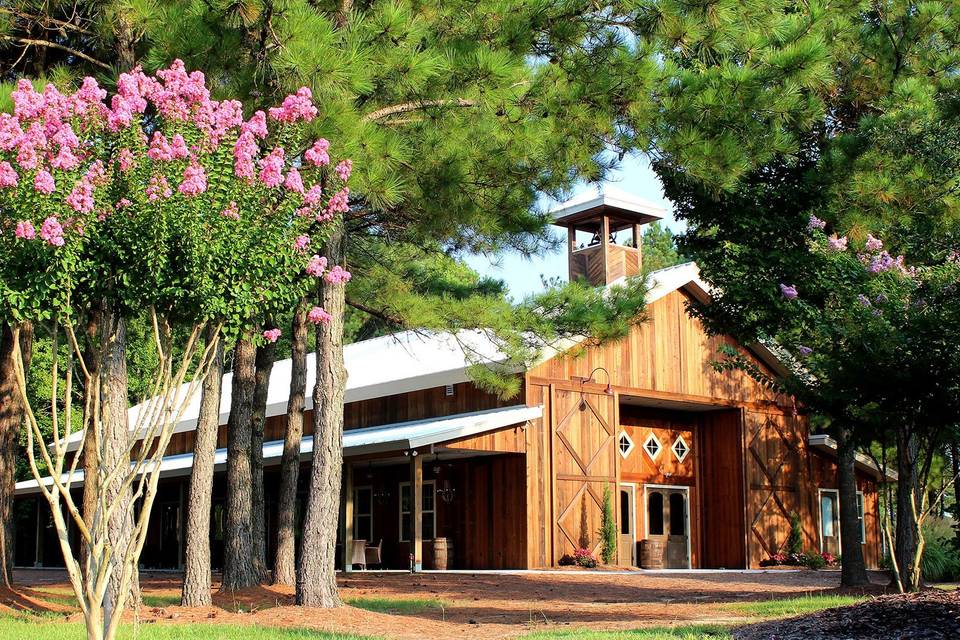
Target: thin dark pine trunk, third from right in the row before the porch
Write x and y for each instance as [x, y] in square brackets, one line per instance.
[264, 366]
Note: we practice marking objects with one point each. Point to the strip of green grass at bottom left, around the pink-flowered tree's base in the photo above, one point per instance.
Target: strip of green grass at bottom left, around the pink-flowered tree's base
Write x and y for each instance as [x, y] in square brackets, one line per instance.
[47, 628]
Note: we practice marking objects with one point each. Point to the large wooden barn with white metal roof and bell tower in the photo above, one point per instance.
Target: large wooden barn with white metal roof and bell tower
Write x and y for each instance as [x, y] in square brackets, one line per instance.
[709, 464]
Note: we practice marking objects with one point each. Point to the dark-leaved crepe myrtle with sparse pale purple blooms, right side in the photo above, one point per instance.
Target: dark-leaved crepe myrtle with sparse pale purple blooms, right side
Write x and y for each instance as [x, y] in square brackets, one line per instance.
[851, 320]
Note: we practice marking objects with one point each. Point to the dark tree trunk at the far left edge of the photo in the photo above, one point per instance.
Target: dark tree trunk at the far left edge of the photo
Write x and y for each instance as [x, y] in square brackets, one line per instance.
[11, 417]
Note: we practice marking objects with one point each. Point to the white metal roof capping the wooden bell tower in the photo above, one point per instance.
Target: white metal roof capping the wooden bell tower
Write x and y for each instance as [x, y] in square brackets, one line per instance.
[622, 208]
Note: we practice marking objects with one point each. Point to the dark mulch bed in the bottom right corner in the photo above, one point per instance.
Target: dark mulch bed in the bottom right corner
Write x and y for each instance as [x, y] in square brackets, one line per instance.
[933, 614]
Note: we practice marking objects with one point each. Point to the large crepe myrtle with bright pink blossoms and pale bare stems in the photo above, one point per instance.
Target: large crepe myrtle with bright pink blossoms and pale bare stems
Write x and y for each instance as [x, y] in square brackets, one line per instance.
[161, 200]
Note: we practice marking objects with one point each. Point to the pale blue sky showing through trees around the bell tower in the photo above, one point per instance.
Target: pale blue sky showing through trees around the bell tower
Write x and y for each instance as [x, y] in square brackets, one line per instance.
[523, 275]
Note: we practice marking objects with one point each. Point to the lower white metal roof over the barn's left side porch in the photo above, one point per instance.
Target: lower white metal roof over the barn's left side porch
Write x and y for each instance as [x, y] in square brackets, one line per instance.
[398, 437]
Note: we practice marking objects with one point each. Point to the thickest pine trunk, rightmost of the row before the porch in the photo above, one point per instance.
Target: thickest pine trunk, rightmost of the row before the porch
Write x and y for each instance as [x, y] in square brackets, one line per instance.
[316, 578]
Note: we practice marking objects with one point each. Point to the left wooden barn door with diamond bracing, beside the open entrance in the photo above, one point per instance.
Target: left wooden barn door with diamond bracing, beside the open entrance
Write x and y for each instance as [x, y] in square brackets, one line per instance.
[584, 461]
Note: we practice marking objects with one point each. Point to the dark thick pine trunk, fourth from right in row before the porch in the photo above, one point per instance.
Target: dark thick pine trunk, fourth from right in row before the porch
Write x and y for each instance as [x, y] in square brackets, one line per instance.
[238, 570]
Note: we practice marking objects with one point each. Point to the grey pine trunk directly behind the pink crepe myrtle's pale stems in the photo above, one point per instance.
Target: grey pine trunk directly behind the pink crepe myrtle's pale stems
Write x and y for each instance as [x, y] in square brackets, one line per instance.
[116, 451]
